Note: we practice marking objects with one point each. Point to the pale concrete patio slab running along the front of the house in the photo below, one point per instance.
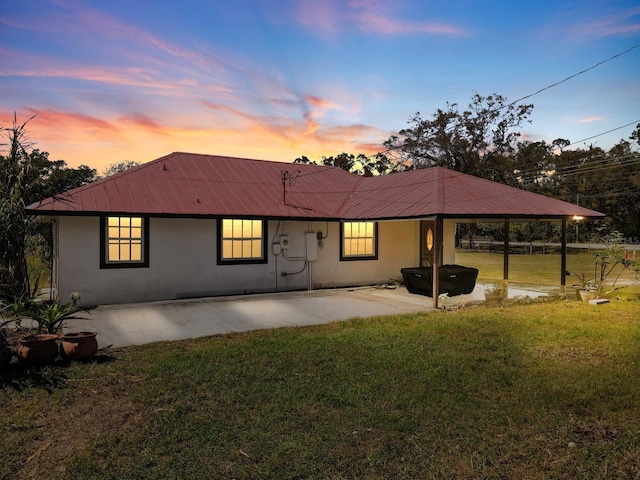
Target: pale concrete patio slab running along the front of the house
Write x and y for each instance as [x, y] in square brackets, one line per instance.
[137, 324]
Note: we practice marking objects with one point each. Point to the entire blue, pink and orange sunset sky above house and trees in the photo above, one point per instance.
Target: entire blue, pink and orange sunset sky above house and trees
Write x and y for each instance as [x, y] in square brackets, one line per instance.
[122, 80]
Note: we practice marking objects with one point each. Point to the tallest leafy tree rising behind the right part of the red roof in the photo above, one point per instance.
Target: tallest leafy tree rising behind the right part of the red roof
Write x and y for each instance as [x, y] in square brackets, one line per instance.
[477, 141]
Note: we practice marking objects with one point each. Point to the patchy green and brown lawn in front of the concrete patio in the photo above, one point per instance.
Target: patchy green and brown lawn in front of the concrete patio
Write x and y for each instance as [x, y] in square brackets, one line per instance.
[532, 391]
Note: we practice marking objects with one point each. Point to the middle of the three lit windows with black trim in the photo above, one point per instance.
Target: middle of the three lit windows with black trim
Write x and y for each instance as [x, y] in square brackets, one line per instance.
[242, 240]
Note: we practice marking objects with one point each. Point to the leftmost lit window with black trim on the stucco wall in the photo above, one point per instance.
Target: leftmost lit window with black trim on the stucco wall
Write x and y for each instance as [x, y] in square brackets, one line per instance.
[124, 242]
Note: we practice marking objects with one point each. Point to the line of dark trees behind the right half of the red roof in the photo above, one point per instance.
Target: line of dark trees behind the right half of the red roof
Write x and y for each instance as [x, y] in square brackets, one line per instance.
[484, 139]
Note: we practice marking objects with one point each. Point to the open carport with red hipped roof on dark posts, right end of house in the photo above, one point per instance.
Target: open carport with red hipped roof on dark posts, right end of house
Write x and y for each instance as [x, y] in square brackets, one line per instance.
[444, 197]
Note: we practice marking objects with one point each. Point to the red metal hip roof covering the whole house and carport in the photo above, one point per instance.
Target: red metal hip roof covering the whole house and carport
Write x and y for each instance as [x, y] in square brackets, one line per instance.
[186, 184]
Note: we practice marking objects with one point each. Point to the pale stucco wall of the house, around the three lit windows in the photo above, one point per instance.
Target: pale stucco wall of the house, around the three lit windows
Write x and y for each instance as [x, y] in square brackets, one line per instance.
[182, 261]
